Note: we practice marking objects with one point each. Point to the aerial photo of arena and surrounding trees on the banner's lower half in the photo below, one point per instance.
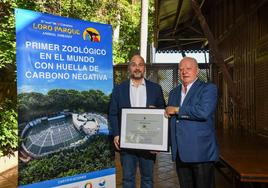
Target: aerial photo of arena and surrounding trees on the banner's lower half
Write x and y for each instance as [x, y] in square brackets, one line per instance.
[63, 133]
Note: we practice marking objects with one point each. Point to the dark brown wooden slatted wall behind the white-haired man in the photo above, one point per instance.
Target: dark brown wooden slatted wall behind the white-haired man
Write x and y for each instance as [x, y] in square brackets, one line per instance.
[245, 39]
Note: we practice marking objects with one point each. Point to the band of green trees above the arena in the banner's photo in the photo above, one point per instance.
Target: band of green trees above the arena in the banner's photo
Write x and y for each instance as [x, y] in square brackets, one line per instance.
[34, 105]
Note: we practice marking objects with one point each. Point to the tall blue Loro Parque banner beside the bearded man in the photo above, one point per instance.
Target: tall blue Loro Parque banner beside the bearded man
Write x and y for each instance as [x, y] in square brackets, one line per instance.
[64, 80]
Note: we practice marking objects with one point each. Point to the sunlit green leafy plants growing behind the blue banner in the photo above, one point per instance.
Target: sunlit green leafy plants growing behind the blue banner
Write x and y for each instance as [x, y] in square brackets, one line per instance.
[122, 14]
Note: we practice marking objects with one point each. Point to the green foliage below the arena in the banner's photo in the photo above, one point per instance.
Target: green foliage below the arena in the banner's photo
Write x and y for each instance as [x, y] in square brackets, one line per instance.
[92, 156]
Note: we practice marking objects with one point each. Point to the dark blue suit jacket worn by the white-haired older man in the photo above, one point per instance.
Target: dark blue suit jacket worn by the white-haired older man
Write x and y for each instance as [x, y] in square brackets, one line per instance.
[192, 129]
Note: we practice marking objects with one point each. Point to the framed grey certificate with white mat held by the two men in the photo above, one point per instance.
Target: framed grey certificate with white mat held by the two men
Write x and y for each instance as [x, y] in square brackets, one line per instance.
[144, 128]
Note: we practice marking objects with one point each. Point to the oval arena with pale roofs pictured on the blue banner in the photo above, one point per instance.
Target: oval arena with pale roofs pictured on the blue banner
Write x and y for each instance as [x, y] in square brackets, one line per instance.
[45, 135]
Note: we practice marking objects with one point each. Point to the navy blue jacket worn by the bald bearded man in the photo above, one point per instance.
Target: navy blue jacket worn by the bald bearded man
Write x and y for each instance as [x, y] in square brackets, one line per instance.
[121, 99]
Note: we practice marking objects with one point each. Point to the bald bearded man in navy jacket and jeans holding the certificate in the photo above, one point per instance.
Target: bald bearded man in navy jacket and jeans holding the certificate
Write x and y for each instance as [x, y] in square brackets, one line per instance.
[135, 92]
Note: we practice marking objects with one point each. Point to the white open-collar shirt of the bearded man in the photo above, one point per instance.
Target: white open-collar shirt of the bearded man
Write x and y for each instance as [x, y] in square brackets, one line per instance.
[138, 95]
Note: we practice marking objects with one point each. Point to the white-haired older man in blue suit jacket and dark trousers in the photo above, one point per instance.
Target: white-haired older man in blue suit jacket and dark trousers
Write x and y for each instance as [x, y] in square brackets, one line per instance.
[191, 108]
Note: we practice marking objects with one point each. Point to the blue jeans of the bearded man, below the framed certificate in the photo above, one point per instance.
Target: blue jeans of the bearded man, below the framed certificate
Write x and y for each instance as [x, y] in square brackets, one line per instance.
[130, 160]
